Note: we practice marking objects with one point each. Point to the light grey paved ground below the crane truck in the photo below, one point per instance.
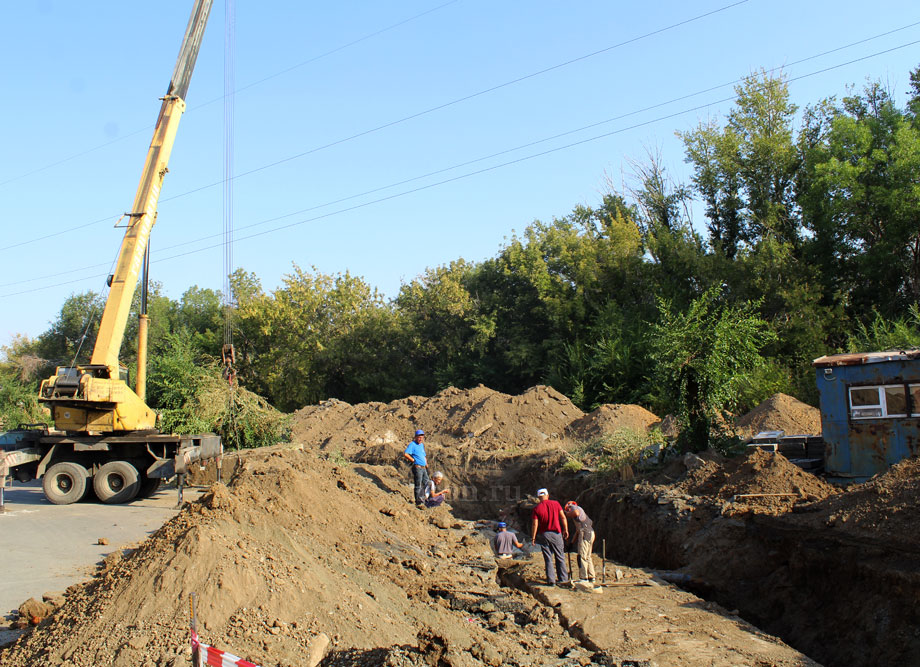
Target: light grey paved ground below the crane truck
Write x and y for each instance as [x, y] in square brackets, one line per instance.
[46, 547]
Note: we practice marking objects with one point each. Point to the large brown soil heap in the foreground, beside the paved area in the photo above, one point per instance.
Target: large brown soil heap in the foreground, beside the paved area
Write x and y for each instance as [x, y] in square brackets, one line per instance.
[296, 546]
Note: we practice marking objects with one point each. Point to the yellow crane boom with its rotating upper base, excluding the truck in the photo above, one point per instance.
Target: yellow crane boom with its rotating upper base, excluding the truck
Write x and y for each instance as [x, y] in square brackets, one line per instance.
[94, 397]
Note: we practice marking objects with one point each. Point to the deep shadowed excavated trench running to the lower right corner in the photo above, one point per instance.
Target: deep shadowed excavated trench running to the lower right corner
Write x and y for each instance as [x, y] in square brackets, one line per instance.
[840, 600]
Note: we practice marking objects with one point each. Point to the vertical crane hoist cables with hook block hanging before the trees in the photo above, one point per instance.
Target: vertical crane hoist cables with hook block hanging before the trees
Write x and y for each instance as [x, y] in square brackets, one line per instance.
[228, 352]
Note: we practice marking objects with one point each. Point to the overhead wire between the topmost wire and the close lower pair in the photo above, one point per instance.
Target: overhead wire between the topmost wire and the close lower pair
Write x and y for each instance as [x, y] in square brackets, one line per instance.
[404, 119]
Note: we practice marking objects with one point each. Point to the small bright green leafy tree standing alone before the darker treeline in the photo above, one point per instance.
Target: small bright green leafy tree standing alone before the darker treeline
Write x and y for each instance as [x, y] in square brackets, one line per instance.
[705, 356]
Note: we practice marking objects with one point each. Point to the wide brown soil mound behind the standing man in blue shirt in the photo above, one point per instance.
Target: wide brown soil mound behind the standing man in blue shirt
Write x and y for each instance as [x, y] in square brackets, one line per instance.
[494, 448]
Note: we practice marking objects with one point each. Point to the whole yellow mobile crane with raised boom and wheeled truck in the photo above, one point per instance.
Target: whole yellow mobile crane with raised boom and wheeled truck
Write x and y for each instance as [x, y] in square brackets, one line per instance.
[103, 431]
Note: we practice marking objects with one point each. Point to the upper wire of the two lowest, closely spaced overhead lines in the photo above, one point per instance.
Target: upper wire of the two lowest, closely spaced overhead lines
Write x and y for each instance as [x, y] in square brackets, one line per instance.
[517, 148]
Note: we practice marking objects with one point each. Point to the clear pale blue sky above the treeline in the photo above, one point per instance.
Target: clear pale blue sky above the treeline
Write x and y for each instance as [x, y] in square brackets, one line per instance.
[344, 110]
